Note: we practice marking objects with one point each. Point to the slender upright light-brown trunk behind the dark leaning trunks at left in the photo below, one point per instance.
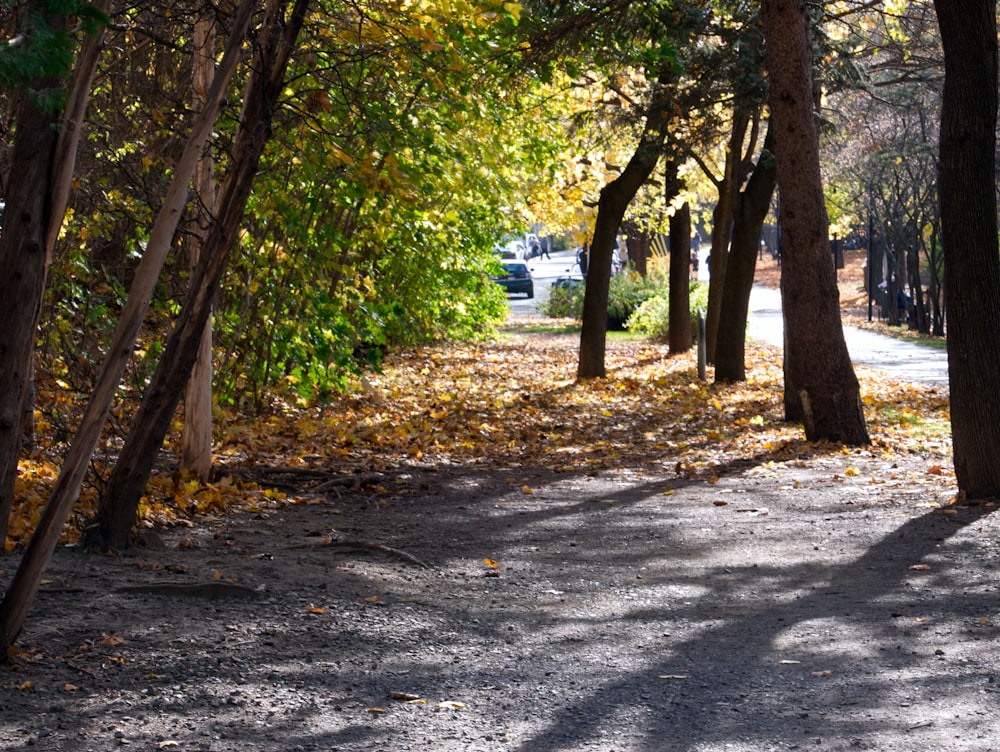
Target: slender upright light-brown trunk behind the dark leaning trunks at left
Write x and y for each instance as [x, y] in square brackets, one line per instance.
[196, 436]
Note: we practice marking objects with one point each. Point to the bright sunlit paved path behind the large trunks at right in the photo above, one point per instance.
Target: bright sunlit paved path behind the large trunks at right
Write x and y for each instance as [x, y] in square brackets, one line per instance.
[901, 360]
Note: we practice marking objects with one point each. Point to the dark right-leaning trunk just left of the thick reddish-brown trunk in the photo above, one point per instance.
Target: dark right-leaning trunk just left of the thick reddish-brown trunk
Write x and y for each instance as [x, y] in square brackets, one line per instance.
[751, 208]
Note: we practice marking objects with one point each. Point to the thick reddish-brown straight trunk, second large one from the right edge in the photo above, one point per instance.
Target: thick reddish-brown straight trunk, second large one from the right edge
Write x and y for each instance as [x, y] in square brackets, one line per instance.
[817, 357]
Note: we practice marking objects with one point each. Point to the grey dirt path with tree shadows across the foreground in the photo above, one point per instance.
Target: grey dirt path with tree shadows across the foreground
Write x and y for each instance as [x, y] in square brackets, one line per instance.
[808, 604]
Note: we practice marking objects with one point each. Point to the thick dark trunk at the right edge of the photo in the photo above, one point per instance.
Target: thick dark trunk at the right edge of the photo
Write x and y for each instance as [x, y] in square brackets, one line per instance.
[966, 187]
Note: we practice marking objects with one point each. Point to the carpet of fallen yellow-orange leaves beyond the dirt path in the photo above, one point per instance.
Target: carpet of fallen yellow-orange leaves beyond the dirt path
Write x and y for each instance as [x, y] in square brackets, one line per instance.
[515, 402]
